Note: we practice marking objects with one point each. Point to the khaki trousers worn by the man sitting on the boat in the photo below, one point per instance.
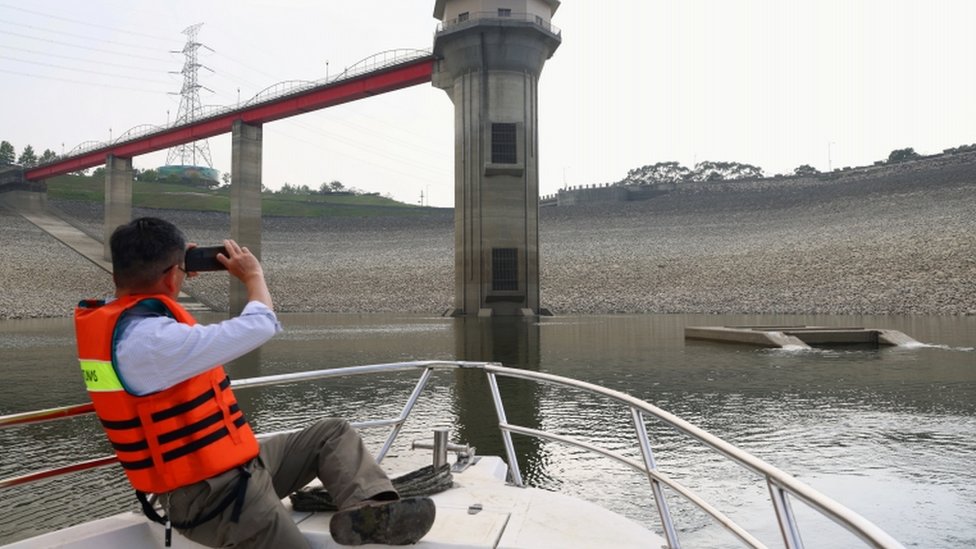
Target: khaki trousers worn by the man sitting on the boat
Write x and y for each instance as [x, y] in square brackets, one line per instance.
[330, 449]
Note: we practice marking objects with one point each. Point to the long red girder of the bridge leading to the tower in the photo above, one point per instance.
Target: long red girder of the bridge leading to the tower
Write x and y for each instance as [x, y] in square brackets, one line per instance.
[385, 80]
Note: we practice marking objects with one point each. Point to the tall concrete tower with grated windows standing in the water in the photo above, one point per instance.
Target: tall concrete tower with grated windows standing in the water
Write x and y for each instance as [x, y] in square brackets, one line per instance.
[491, 53]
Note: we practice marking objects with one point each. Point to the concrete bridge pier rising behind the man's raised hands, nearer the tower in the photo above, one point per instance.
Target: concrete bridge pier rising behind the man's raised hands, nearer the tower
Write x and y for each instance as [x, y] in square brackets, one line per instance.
[245, 199]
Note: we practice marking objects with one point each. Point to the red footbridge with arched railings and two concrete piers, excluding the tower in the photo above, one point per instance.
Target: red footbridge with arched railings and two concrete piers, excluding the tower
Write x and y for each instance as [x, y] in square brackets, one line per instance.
[380, 73]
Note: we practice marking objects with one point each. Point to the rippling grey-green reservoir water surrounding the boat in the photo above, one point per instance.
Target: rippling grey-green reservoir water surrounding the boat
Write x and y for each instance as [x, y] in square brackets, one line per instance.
[889, 432]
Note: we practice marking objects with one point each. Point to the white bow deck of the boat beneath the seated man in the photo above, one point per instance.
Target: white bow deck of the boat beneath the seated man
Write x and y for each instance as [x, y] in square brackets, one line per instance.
[480, 511]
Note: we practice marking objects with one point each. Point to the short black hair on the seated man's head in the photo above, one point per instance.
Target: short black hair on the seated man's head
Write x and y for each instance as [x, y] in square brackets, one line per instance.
[143, 249]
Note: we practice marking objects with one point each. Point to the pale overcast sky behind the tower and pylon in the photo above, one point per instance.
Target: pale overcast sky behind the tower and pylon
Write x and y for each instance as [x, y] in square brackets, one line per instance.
[775, 83]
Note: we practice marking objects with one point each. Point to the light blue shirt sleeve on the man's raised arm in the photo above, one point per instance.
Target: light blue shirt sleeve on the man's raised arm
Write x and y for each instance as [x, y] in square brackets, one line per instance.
[157, 352]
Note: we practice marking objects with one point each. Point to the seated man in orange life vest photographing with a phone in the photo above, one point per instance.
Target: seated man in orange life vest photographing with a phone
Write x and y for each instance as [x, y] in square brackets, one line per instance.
[159, 388]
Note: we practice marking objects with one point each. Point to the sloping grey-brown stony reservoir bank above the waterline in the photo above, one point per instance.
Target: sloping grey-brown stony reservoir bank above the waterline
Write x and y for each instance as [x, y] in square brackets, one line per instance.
[902, 243]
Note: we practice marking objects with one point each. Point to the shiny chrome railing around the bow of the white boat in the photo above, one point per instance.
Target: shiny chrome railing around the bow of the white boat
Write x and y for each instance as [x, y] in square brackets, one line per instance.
[781, 485]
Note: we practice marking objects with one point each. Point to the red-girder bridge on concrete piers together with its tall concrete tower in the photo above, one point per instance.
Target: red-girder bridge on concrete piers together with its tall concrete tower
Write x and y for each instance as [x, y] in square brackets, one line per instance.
[488, 62]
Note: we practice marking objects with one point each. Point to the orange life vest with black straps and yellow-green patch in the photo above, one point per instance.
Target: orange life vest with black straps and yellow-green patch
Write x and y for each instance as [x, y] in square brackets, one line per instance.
[175, 437]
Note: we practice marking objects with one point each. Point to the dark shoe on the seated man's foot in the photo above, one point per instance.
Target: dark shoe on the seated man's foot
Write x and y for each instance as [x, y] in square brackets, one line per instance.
[399, 522]
